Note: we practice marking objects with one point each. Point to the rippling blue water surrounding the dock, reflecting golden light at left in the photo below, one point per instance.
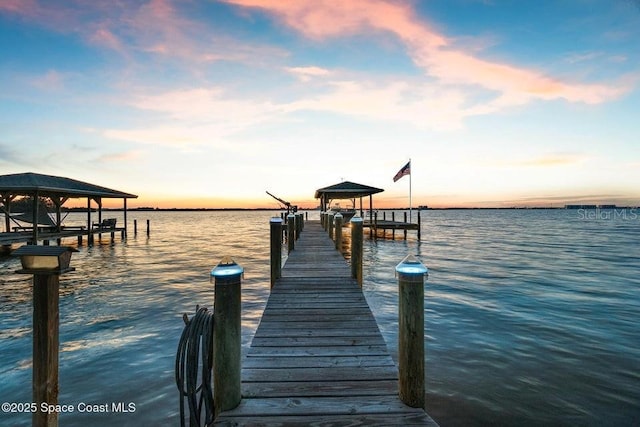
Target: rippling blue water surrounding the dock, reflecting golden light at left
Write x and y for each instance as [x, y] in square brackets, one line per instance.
[530, 315]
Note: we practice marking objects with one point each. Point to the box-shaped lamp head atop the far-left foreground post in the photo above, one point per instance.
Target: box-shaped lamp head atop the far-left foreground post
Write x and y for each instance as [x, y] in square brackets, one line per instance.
[44, 259]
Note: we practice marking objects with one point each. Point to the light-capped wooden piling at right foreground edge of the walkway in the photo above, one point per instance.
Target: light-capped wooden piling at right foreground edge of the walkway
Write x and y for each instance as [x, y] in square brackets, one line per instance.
[411, 383]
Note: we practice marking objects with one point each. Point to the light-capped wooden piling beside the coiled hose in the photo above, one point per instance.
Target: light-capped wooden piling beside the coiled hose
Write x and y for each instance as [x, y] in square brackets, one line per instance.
[227, 276]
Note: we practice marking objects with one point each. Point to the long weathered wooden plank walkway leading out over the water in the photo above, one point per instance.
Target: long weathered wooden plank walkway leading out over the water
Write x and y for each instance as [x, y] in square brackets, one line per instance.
[318, 357]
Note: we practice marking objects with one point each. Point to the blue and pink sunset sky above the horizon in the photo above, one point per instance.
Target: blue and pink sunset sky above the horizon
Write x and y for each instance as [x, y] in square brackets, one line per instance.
[210, 103]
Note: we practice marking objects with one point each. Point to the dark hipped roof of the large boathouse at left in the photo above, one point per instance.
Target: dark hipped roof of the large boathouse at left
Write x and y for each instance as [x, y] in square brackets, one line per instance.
[24, 184]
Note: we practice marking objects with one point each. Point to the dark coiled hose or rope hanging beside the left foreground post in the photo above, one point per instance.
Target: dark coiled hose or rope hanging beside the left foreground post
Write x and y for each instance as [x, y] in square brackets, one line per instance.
[194, 361]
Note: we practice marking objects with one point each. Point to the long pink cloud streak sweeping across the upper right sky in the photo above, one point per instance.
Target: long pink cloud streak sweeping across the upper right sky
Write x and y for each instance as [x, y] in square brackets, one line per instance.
[431, 51]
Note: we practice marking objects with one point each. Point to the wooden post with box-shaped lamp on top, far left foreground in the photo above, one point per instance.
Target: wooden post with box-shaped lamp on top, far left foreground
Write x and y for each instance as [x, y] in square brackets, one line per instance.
[46, 263]
